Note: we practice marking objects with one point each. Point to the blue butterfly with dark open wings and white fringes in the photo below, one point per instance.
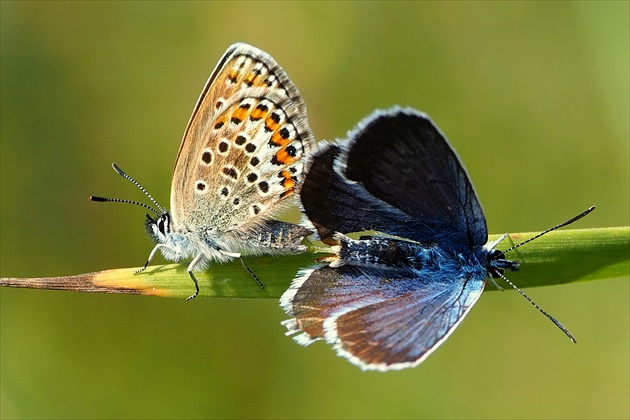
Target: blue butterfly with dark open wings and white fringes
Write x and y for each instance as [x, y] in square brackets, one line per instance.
[388, 300]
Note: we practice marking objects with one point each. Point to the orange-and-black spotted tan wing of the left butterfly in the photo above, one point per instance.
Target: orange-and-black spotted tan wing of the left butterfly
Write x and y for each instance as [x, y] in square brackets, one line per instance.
[242, 147]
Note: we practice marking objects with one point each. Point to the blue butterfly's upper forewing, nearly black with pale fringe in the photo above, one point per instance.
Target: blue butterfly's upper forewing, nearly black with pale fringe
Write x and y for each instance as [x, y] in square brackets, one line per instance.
[402, 158]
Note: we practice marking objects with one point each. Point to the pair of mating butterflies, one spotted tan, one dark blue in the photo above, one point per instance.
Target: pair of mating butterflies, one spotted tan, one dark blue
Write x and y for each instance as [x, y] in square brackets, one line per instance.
[385, 301]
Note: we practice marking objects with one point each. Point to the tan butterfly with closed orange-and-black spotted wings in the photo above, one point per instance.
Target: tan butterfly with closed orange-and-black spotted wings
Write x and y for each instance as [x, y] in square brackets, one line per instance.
[239, 161]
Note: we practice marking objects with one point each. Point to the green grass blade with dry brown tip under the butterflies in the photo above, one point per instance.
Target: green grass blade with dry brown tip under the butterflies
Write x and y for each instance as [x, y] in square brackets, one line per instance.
[563, 256]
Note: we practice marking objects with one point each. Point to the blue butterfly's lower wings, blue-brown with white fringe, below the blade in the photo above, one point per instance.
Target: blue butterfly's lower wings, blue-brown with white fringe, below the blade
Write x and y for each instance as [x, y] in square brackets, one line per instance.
[376, 320]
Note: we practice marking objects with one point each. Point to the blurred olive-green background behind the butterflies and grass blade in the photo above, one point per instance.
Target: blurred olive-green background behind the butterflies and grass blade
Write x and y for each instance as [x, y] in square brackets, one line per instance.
[534, 97]
